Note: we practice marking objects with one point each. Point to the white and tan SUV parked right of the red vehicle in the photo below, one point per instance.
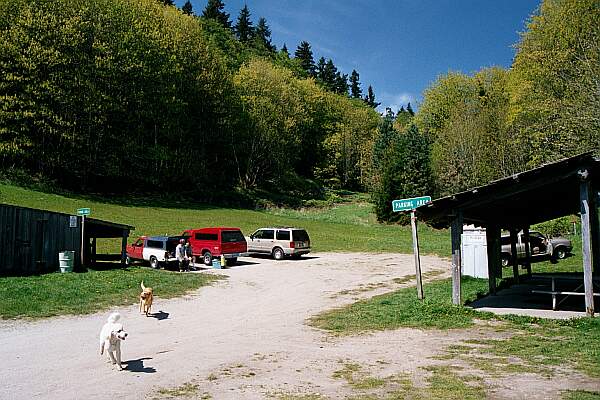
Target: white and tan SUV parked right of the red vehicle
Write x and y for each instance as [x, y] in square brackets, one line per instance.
[279, 242]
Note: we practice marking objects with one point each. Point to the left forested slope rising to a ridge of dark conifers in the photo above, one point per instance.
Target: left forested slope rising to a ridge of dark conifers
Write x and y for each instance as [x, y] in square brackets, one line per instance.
[117, 95]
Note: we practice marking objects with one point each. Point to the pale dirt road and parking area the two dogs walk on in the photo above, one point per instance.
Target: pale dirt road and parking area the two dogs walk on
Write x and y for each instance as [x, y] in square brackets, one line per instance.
[242, 338]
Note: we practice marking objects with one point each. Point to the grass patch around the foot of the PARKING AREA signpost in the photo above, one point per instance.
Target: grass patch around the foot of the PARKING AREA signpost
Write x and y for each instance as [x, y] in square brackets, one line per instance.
[401, 308]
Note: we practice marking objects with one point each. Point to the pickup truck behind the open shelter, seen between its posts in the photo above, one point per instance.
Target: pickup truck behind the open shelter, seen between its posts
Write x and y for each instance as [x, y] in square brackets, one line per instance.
[539, 246]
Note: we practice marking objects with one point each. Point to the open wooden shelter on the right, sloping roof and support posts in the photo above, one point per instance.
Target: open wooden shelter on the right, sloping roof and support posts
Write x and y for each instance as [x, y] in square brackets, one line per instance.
[566, 187]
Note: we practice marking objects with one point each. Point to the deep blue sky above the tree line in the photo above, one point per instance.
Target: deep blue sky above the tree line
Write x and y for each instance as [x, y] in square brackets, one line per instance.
[398, 46]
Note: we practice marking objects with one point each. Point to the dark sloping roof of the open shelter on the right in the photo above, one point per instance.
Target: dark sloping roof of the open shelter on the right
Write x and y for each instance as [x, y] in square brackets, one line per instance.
[538, 195]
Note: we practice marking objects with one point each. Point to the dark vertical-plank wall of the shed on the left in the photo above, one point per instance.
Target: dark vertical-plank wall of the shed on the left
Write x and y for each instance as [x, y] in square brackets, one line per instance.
[30, 240]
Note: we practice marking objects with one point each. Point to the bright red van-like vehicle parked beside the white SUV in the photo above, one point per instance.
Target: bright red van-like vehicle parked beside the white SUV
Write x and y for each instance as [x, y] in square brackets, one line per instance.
[214, 242]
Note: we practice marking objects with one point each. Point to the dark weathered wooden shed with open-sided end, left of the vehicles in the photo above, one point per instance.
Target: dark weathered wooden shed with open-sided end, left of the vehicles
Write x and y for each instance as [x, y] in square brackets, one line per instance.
[31, 239]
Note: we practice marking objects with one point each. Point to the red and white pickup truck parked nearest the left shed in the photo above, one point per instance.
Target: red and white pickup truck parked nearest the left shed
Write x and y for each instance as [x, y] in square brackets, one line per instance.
[156, 250]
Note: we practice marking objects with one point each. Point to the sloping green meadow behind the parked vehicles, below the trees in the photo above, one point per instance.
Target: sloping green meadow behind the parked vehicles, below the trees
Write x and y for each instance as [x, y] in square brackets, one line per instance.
[347, 227]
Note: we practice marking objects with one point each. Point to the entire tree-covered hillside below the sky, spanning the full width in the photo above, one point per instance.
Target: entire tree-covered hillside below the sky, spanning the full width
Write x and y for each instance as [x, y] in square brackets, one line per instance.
[137, 95]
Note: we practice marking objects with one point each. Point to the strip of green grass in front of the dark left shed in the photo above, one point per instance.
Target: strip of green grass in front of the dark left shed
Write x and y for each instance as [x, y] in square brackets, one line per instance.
[83, 293]
